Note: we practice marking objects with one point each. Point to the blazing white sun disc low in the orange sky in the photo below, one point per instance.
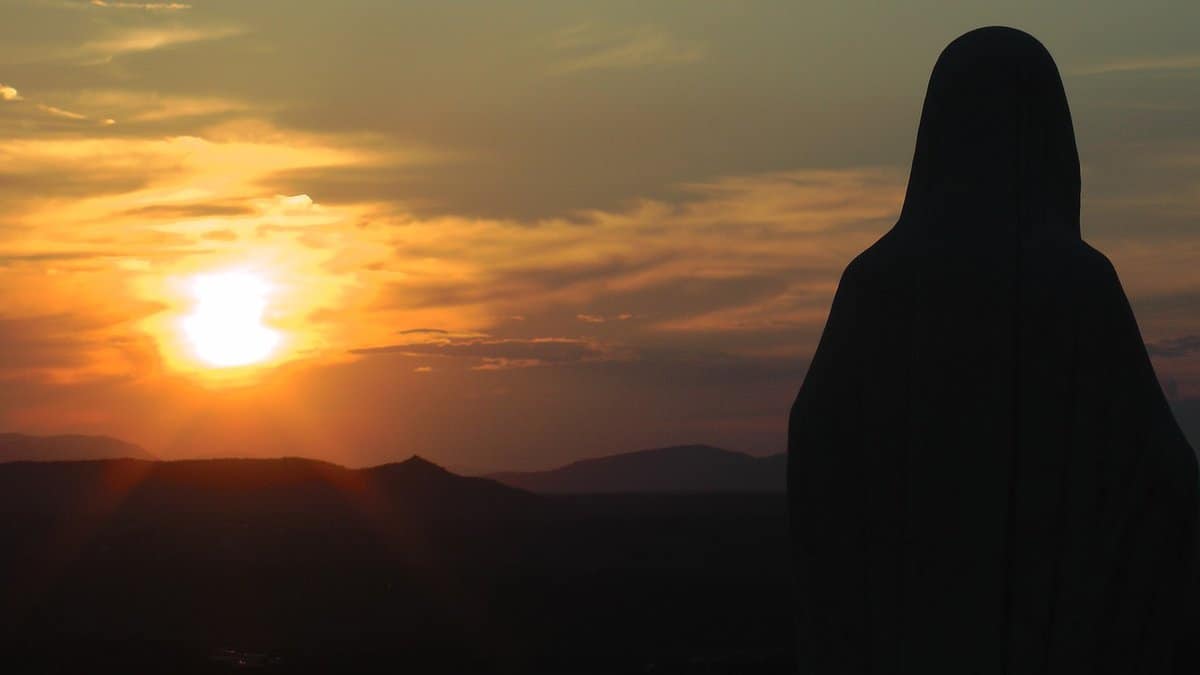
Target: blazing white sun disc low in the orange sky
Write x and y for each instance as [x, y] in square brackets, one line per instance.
[226, 328]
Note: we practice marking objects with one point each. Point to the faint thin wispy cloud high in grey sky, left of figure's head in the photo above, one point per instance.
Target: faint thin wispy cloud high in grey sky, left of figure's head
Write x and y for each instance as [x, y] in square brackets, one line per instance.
[586, 49]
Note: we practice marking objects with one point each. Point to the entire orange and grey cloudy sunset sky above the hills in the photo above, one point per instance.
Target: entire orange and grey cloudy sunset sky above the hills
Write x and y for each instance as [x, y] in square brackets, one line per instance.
[509, 235]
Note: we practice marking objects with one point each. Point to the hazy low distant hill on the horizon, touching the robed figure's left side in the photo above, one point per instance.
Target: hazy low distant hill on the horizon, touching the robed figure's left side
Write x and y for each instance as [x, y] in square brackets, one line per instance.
[680, 469]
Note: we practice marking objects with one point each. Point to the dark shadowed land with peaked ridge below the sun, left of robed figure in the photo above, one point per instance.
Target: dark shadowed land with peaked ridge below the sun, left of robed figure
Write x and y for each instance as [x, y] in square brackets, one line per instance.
[297, 566]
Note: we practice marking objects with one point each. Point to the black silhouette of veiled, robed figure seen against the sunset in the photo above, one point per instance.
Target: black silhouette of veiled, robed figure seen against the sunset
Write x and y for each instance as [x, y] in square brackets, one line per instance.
[983, 473]
